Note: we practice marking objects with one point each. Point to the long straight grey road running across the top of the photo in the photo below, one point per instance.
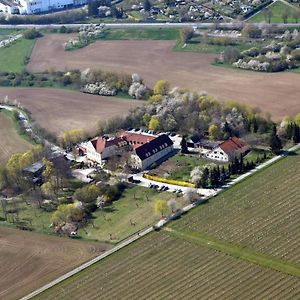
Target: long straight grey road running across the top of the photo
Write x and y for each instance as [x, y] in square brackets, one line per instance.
[231, 25]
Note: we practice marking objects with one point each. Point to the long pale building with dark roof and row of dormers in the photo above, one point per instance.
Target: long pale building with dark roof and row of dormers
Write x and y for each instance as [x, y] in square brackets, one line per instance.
[151, 152]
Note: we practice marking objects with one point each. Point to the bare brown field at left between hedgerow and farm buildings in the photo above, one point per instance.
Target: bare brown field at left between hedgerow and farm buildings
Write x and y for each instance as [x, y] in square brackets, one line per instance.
[58, 110]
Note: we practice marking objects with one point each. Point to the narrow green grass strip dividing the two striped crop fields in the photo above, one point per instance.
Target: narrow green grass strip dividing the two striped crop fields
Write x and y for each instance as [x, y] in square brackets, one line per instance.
[237, 251]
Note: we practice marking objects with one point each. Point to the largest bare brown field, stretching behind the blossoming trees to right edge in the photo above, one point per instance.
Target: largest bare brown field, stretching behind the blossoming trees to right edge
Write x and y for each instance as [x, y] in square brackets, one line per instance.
[277, 93]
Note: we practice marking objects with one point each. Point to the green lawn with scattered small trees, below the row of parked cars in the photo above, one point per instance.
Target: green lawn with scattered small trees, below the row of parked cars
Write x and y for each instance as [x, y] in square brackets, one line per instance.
[136, 206]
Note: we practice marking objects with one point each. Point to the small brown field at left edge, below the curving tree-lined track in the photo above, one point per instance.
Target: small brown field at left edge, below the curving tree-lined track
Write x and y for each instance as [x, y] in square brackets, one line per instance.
[10, 141]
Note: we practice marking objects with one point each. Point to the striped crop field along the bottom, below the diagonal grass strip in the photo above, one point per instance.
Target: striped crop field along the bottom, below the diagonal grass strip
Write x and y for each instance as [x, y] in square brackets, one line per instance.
[160, 266]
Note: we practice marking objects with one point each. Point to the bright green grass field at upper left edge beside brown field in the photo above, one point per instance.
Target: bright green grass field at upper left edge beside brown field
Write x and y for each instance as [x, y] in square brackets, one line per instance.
[13, 58]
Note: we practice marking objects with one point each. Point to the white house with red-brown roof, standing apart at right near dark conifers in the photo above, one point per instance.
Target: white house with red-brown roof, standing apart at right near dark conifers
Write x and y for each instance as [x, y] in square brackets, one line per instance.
[228, 150]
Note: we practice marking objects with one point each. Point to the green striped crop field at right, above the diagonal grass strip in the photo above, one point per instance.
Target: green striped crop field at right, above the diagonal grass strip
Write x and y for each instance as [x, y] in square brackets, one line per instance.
[261, 213]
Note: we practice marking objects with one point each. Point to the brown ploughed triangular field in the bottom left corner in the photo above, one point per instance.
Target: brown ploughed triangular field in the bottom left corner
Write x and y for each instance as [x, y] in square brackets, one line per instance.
[29, 260]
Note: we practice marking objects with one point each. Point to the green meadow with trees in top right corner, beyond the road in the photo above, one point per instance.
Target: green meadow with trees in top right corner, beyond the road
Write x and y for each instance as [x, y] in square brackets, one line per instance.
[277, 8]
